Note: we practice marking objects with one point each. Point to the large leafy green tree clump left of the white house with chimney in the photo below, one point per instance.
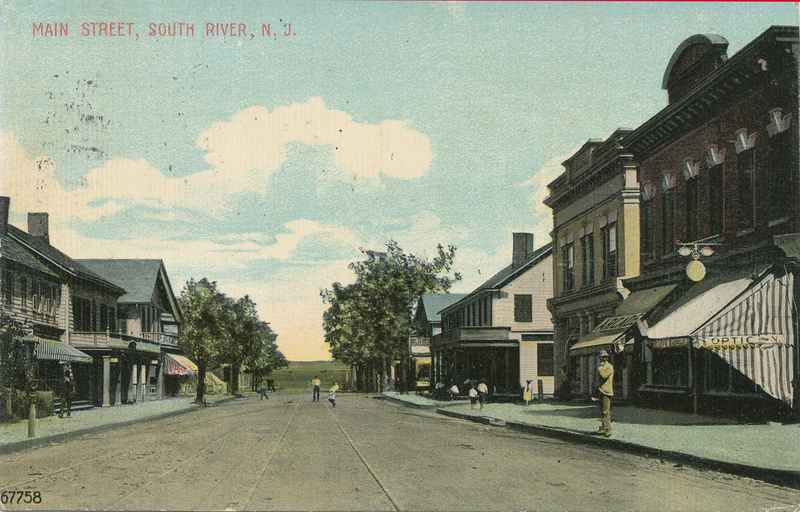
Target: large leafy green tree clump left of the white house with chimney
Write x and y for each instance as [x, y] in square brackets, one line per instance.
[367, 323]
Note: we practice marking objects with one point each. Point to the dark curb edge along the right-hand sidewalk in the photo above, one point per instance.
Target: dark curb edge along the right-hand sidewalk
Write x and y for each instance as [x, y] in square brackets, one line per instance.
[784, 478]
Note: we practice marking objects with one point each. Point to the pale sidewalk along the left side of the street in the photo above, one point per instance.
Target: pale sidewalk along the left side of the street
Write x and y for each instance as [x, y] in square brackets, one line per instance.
[14, 436]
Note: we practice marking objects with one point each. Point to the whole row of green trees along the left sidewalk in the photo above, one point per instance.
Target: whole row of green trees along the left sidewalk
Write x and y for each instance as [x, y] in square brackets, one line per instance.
[219, 330]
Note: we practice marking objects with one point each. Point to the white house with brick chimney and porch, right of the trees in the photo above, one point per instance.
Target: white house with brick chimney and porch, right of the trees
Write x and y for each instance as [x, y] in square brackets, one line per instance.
[501, 332]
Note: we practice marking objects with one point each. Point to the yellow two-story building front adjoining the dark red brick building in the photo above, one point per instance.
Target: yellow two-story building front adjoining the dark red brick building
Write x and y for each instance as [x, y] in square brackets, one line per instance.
[595, 205]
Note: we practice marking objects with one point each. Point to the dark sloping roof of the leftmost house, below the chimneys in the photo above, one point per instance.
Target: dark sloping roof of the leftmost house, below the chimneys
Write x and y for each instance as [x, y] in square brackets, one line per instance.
[32, 252]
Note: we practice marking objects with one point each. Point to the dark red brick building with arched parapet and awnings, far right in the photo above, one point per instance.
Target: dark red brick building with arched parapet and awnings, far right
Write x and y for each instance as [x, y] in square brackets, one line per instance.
[718, 173]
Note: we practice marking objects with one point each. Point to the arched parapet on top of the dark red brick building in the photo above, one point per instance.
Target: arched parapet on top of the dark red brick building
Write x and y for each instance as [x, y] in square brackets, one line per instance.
[693, 61]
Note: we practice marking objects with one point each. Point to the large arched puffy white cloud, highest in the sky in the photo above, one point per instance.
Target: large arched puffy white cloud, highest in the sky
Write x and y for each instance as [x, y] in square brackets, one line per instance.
[256, 139]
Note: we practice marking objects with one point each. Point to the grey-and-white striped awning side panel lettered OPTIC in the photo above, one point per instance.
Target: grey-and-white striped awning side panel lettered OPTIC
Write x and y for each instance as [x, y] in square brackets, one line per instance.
[755, 335]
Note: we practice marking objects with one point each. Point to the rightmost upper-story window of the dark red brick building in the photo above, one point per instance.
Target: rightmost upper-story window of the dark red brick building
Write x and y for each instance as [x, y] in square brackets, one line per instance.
[779, 171]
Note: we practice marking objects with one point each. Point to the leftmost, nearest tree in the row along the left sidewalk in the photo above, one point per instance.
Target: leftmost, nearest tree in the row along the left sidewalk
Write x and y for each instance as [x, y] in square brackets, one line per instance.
[206, 314]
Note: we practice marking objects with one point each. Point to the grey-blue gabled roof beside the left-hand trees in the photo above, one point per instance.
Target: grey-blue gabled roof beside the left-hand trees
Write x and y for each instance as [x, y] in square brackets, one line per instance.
[139, 278]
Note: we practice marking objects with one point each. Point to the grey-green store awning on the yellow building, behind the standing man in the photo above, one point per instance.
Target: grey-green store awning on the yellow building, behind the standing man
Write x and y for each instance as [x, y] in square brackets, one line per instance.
[610, 333]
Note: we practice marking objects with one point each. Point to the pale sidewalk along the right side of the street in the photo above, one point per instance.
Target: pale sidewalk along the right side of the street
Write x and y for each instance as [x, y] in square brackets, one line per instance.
[769, 452]
